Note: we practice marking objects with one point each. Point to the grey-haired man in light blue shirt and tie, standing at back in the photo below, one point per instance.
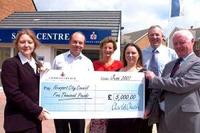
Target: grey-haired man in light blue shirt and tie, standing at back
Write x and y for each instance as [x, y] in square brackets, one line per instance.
[162, 55]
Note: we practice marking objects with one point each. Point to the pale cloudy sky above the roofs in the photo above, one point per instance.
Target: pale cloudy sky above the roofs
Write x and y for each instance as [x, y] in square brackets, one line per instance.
[136, 14]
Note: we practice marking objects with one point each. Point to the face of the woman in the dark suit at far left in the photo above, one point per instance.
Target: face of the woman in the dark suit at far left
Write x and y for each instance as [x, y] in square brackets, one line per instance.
[26, 45]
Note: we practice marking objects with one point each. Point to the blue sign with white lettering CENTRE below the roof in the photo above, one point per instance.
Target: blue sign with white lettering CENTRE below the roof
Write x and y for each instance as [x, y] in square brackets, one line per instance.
[57, 36]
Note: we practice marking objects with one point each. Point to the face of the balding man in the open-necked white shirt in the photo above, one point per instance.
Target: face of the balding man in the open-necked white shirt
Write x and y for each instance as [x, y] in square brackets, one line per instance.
[77, 43]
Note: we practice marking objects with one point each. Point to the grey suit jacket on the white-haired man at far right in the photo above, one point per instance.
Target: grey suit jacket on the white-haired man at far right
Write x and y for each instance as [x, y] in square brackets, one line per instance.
[182, 96]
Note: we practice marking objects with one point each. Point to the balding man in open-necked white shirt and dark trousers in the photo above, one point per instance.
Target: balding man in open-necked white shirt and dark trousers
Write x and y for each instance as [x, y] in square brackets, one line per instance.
[72, 60]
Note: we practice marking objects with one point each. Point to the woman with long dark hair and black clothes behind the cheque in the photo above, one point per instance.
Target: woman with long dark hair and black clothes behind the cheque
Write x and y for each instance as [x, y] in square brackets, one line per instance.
[132, 60]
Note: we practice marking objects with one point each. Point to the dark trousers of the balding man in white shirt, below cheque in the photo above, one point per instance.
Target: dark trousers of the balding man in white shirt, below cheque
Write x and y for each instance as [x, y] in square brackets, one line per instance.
[76, 125]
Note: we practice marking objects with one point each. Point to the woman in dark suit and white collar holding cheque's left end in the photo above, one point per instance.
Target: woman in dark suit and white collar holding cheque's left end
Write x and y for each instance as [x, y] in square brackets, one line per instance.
[20, 80]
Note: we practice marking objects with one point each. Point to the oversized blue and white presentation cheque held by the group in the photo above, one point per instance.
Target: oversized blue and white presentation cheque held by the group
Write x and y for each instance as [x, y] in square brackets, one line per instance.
[68, 95]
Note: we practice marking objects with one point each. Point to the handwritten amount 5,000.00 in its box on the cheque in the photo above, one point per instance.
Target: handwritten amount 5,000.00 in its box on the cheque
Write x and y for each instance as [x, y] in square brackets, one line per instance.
[124, 97]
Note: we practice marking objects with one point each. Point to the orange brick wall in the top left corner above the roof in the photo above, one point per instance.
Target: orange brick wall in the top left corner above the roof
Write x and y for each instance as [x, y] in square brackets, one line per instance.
[7, 7]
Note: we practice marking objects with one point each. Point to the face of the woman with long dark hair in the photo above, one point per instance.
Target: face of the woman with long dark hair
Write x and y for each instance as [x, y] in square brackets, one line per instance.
[131, 55]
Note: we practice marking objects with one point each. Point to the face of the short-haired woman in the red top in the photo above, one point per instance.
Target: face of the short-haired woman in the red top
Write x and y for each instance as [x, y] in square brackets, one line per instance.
[107, 50]
